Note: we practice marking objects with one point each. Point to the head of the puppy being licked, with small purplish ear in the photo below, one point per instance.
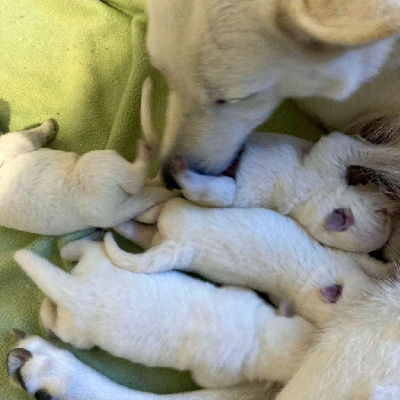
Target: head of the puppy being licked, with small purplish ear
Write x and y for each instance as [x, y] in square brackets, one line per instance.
[354, 218]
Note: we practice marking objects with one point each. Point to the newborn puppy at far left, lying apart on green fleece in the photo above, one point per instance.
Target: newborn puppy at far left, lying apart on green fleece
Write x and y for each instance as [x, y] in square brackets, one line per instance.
[53, 192]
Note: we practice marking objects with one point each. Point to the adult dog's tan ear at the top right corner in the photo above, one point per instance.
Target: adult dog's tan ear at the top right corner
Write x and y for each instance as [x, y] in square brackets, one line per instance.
[338, 22]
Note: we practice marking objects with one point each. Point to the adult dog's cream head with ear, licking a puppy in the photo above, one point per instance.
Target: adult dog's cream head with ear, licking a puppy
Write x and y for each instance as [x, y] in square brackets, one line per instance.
[229, 63]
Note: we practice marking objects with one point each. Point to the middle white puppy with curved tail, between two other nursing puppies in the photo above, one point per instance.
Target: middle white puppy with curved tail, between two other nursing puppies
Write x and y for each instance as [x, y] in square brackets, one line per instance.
[256, 248]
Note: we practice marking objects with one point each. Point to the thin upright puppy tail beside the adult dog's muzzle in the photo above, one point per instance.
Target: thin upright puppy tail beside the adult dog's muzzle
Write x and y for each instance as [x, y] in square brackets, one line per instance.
[151, 136]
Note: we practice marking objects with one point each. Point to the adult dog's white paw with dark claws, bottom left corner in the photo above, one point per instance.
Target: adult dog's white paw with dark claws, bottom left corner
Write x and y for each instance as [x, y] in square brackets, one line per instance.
[40, 368]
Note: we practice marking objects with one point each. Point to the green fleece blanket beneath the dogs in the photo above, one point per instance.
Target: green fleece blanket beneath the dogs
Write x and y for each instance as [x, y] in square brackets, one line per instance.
[82, 63]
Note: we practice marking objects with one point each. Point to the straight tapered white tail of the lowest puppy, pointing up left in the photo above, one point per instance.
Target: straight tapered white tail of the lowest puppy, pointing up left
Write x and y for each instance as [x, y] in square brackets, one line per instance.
[55, 283]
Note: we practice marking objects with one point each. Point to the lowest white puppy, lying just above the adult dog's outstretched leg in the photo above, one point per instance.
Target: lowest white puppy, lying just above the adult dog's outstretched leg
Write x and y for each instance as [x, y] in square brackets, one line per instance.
[224, 336]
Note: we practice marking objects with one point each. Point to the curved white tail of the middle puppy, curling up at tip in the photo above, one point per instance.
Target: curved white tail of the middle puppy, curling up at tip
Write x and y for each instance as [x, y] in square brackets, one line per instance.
[166, 256]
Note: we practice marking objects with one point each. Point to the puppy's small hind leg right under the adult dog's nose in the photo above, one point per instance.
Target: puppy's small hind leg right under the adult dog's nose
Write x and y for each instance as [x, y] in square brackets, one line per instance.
[205, 190]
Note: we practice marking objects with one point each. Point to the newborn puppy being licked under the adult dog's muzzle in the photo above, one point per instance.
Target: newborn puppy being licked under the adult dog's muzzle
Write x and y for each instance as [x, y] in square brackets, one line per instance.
[308, 183]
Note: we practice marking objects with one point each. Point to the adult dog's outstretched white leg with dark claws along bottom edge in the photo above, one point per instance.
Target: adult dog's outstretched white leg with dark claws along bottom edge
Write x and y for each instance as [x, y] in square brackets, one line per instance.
[42, 368]
